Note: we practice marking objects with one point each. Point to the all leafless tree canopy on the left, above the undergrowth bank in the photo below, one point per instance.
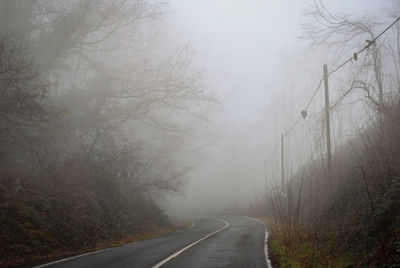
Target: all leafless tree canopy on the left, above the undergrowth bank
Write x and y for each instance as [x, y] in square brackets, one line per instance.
[89, 80]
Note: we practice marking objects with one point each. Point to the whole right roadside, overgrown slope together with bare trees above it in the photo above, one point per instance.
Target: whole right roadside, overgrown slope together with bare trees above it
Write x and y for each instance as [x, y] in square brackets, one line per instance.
[353, 218]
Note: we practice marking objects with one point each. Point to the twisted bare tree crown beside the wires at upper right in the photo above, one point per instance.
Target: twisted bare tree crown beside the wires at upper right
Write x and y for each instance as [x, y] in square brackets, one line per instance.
[347, 36]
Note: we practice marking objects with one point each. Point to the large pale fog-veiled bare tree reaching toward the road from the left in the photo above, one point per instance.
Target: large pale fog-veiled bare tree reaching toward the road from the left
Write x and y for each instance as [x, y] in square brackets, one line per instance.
[118, 87]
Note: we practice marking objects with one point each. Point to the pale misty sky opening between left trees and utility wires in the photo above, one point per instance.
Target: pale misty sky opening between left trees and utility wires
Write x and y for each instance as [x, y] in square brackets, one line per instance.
[250, 56]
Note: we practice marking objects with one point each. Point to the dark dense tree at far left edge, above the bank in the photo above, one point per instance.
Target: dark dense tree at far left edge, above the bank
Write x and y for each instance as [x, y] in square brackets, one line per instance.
[24, 106]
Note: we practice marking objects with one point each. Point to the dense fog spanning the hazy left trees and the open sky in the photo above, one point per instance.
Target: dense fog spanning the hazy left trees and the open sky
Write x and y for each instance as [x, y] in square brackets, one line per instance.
[195, 95]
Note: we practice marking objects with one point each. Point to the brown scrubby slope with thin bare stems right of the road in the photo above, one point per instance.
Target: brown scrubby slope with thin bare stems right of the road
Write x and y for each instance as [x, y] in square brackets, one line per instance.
[356, 222]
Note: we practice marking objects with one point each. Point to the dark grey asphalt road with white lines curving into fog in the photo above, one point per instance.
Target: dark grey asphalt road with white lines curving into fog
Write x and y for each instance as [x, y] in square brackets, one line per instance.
[228, 241]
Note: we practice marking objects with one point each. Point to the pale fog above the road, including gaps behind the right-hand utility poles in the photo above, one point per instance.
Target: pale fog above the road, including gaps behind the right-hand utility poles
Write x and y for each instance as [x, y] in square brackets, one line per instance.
[256, 60]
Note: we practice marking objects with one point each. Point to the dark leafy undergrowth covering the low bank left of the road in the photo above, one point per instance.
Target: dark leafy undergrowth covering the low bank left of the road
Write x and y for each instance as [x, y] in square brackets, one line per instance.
[41, 220]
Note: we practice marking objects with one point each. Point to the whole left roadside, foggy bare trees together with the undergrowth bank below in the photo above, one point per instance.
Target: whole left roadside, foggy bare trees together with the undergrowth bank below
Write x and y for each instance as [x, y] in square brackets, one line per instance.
[94, 113]
